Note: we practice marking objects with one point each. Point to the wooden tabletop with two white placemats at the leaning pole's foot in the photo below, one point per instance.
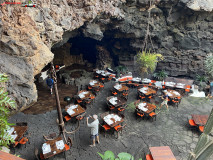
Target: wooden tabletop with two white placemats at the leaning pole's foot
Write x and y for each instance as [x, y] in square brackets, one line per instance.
[53, 147]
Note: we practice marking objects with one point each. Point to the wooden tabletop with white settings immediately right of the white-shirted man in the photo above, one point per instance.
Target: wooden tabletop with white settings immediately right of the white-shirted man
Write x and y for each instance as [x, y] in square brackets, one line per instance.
[113, 119]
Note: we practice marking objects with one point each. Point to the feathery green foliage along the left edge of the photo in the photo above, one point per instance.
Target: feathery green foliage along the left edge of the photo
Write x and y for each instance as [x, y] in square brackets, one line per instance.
[5, 103]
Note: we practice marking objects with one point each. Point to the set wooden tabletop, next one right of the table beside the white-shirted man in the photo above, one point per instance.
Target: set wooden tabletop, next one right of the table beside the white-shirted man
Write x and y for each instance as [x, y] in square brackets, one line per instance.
[146, 107]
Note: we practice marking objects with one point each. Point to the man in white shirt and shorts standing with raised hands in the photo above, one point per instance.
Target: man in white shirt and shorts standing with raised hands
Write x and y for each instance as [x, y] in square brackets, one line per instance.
[94, 129]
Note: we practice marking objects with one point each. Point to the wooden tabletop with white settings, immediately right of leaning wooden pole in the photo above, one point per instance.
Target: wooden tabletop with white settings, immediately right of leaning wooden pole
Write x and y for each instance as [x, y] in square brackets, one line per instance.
[74, 110]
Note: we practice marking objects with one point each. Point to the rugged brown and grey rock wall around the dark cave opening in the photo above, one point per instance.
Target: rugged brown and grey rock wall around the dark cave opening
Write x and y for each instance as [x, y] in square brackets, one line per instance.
[182, 35]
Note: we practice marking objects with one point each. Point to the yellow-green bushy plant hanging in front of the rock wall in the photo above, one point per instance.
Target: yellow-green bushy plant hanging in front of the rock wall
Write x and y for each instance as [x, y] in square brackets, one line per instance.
[147, 61]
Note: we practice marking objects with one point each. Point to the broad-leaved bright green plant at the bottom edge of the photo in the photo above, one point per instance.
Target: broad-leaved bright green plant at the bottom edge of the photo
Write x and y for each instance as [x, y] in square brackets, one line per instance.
[109, 155]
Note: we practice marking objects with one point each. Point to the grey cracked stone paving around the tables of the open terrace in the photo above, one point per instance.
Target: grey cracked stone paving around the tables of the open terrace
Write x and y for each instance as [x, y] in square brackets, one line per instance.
[171, 128]
